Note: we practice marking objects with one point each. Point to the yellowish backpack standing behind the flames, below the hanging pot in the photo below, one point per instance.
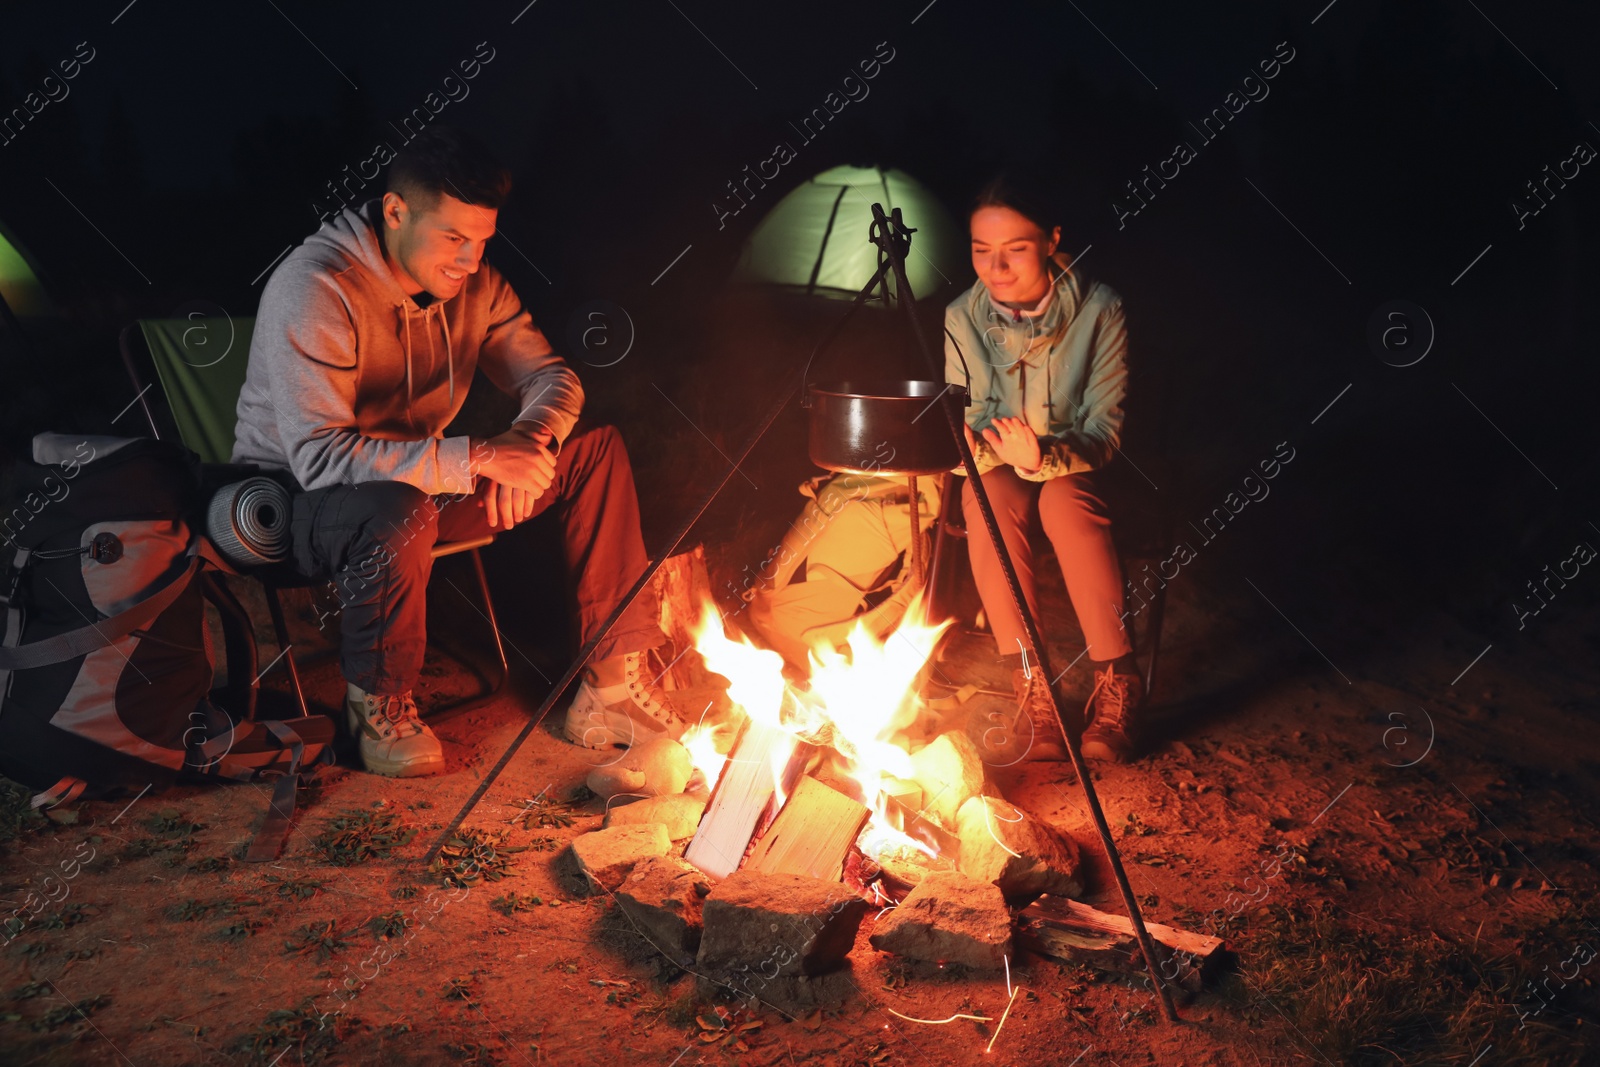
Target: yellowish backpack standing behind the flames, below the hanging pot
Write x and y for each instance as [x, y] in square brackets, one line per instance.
[841, 562]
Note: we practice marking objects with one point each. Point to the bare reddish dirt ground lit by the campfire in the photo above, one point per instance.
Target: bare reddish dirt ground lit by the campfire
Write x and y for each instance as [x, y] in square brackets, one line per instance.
[1431, 868]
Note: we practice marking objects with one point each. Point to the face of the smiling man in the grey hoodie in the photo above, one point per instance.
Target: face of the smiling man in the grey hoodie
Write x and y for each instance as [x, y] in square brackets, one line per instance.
[436, 249]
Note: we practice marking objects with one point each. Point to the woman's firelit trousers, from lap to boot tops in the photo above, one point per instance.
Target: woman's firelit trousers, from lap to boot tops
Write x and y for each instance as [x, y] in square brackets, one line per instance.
[1079, 527]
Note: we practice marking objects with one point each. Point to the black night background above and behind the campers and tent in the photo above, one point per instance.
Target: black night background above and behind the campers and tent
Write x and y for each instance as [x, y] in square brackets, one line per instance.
[1383, 166]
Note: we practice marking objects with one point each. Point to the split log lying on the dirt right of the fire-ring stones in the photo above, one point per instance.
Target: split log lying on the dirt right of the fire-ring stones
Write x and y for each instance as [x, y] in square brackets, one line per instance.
[1068, 930]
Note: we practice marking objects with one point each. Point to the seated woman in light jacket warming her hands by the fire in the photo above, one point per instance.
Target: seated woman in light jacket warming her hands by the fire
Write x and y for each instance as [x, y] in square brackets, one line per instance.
[1044, 351]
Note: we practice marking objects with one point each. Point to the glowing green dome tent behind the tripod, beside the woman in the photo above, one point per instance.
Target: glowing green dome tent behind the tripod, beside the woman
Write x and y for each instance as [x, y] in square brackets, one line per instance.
[817, 239]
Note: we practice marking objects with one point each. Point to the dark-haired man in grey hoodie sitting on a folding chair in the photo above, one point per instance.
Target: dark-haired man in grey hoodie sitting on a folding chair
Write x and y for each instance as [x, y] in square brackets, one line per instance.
[364, 351]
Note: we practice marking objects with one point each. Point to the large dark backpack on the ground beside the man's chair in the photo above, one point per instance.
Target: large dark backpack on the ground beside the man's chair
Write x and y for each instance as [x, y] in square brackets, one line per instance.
[106, 660]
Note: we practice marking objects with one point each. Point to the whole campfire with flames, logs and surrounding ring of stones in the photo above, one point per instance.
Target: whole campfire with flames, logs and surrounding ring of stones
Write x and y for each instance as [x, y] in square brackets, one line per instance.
[754, 850]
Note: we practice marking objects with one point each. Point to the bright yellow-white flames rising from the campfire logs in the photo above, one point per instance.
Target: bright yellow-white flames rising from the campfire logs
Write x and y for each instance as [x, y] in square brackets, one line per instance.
[858, 698]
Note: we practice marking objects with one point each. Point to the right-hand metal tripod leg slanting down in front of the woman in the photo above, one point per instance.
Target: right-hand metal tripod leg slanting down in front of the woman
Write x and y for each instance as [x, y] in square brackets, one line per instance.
[895, 239]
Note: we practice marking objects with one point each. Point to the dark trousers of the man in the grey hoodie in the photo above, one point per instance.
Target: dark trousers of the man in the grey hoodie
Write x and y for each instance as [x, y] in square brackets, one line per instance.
[375, 543]
